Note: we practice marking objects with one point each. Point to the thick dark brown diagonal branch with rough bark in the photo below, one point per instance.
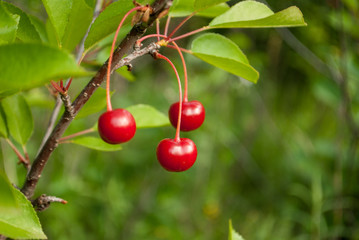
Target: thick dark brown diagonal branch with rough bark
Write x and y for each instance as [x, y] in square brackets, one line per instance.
[52, 142]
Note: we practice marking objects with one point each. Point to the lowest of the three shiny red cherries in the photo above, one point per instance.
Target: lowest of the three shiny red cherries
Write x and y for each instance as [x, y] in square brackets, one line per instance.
[176, 156]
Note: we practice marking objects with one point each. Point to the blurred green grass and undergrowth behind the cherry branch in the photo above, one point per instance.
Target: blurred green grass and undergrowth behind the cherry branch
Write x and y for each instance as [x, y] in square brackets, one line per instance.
[278, 157]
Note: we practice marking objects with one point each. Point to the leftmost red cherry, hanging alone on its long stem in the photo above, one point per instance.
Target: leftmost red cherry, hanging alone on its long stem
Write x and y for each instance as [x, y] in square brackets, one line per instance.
[116, 126]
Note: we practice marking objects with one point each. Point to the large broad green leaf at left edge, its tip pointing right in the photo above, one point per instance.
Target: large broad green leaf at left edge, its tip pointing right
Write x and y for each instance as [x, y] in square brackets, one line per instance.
[28, 65]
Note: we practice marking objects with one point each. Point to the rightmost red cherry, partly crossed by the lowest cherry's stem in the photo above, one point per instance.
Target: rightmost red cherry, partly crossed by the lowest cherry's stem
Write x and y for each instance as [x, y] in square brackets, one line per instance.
[193, 115]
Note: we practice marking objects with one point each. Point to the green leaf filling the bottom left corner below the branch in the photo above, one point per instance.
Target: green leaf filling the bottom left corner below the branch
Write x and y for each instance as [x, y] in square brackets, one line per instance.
[18, 219]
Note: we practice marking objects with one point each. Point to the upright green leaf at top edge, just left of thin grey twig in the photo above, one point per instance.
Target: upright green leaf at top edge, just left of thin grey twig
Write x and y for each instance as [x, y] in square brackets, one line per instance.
[79, 20]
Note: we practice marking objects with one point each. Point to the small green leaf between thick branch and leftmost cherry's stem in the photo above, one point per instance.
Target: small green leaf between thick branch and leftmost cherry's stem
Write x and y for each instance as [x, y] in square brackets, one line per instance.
[95, 104]
